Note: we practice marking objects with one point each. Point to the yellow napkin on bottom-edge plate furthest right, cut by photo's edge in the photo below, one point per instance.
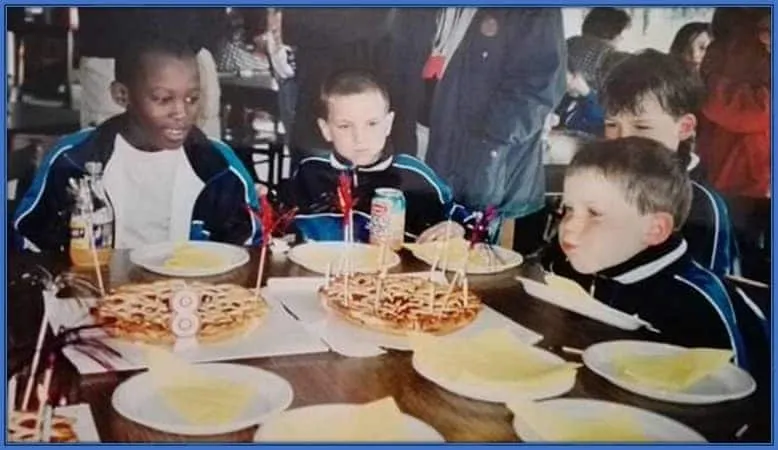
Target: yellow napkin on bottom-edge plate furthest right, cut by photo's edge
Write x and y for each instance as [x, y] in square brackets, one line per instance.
[550, 425]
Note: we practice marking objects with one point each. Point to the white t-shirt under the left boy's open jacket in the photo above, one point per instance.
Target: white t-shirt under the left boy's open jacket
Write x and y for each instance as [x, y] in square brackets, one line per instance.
[147, 180]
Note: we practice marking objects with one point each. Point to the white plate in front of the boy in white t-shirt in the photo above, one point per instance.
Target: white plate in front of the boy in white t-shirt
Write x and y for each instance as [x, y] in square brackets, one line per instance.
[153, 257]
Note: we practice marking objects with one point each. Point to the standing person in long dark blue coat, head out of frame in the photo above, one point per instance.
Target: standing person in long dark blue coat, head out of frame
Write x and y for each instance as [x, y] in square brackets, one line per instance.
[478, 83]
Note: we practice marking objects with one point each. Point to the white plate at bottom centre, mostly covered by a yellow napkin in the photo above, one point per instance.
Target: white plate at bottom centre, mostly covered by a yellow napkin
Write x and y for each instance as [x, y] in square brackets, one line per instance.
[279, 428]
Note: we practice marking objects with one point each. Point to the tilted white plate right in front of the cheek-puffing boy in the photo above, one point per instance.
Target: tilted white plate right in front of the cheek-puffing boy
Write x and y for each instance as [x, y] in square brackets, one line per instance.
[582, 305]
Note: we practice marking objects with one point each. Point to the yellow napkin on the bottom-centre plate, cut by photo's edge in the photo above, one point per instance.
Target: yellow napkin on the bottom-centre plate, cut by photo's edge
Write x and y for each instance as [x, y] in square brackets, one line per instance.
[378, 421]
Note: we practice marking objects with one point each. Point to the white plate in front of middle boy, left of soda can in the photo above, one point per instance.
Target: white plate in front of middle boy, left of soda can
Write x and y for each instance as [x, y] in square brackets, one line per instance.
[315, 256]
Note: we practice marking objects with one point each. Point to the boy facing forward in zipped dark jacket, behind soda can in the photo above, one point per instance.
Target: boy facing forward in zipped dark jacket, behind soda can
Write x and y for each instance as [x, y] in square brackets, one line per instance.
[356, 119]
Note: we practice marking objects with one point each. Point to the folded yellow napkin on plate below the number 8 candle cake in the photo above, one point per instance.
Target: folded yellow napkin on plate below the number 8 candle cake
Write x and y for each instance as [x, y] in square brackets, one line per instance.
[197, 397]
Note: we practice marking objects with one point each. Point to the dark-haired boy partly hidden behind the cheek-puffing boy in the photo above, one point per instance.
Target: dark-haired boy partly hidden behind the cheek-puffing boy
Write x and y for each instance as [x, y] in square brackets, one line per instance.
[653, 95]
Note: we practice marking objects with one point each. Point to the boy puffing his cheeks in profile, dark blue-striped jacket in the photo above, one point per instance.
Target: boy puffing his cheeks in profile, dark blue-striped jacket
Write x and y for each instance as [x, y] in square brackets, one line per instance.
[624, 202]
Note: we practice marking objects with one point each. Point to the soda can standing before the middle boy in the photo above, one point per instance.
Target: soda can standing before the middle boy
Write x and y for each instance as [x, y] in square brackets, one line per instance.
[387, 218]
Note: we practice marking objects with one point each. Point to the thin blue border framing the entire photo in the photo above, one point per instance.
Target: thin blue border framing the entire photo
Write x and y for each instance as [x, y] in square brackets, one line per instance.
[558, 3]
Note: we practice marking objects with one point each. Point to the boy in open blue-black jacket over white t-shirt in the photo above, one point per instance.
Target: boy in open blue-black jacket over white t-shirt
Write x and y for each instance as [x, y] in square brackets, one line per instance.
[165, 179]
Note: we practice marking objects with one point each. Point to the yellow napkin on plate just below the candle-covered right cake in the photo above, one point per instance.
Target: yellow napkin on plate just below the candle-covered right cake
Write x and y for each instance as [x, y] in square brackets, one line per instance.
[494, 357]
